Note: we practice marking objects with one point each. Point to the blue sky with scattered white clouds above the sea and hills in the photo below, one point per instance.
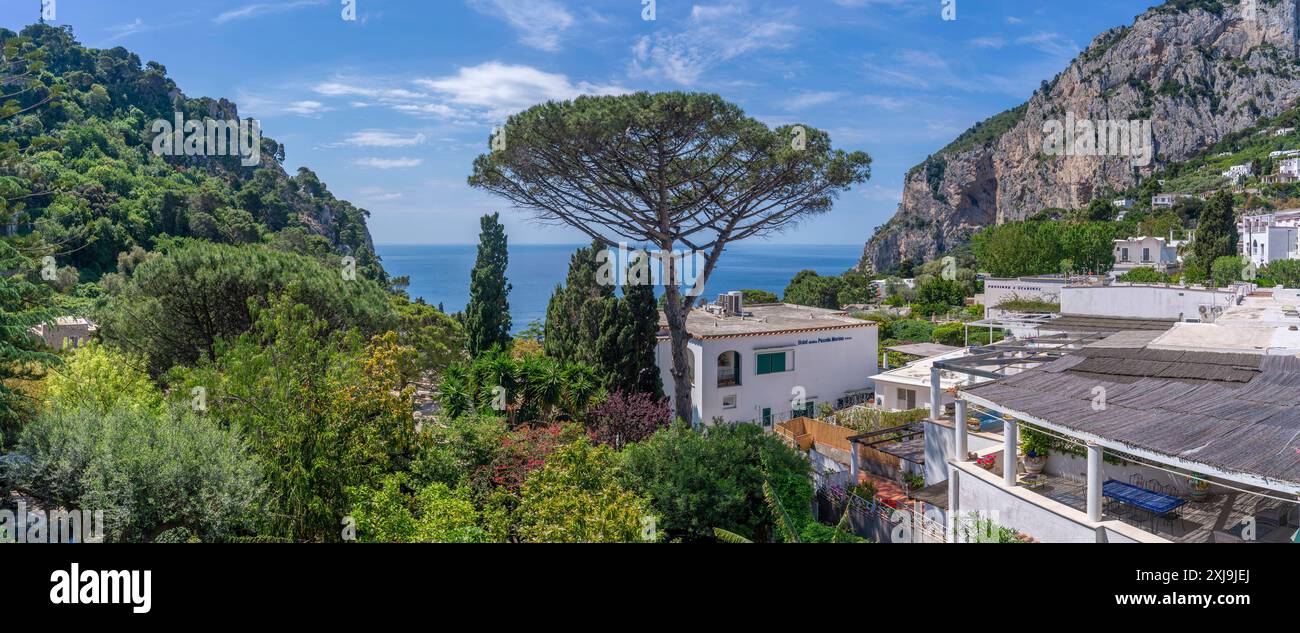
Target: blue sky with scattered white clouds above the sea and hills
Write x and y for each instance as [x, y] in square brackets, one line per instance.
[392, 109]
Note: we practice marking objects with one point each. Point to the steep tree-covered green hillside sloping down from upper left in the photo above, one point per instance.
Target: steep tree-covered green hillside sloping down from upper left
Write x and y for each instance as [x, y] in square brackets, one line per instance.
[83, 184]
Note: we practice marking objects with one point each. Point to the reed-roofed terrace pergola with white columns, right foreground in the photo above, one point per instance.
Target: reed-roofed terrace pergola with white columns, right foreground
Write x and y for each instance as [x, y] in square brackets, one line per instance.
[1229, 417]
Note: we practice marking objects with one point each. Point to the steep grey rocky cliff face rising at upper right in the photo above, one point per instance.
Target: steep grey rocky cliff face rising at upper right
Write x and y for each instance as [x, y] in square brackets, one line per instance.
[1195, 70]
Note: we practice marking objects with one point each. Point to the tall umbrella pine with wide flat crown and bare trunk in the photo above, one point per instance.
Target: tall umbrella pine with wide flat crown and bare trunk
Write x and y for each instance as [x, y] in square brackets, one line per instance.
[678, 172]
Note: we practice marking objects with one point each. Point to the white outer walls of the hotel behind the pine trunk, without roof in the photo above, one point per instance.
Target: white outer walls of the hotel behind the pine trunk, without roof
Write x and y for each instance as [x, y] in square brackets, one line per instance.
[827, 366]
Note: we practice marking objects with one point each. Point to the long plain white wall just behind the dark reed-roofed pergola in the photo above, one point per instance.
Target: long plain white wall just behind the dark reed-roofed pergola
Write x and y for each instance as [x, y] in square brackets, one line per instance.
[1139, 302]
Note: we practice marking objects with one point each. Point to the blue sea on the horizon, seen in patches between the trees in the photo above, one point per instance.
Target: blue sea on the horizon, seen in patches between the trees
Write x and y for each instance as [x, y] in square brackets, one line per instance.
[440, 274]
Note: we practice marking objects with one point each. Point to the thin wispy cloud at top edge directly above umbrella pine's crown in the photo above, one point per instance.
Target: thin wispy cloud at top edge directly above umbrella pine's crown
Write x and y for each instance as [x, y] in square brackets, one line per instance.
[714, 34]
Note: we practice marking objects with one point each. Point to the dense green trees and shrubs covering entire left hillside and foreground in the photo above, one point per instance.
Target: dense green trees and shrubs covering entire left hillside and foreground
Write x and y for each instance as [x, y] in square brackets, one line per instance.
[249, 384]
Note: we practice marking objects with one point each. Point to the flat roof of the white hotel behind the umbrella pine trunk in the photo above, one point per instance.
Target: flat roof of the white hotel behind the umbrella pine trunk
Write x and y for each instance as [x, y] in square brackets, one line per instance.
[768, 319]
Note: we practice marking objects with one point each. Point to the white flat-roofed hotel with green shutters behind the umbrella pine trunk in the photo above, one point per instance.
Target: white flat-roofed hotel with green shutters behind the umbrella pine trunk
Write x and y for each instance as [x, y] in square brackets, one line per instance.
[759, 363]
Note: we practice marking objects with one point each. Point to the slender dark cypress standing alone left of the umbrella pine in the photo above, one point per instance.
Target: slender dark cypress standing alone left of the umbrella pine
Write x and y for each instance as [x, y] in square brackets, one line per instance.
[488, 313]
